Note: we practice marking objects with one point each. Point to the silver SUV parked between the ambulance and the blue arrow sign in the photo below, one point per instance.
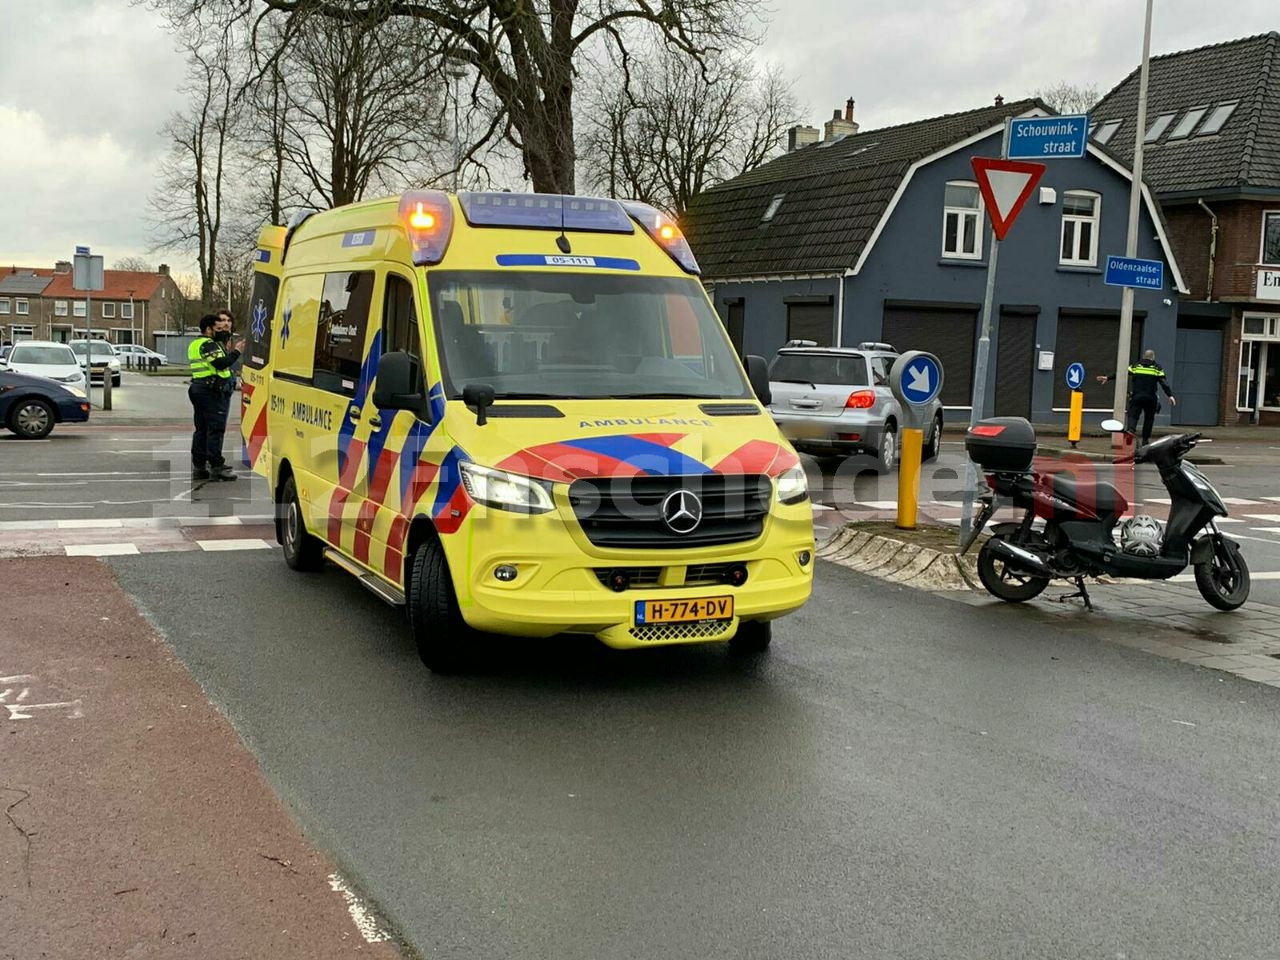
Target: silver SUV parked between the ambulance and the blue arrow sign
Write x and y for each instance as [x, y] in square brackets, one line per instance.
[836, 401]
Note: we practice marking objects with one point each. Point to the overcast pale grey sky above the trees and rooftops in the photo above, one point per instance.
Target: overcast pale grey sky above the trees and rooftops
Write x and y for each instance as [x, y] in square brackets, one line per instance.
[85, 86]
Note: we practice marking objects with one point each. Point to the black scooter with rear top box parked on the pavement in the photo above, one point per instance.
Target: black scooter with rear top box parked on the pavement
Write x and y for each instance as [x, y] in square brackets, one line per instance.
[1082, 536]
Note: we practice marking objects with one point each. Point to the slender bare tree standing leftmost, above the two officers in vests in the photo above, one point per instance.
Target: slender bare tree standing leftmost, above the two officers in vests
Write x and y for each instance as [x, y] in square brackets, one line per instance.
[190, 203]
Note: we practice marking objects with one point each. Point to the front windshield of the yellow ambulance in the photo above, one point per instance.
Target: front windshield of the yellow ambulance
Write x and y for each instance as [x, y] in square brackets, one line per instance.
[582, 336]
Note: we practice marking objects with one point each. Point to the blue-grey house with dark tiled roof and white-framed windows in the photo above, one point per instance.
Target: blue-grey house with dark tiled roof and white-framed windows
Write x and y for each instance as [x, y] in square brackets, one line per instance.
[883, 236]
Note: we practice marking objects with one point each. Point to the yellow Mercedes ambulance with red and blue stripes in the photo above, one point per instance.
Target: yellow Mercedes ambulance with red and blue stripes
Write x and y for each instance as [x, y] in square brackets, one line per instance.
[520, 414]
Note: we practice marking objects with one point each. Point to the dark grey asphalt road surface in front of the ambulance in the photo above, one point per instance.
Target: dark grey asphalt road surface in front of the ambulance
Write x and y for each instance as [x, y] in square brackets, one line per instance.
[903, 778]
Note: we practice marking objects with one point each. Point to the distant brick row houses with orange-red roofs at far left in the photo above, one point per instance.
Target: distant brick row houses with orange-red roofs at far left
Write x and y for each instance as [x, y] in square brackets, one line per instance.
[134, 307]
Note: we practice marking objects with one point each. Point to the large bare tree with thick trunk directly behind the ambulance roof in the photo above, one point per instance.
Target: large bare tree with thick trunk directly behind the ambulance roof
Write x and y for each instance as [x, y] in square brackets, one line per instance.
[527, 52]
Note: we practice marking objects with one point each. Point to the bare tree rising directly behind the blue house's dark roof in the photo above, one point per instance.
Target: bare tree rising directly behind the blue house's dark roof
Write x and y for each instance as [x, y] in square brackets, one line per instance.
[679, 127]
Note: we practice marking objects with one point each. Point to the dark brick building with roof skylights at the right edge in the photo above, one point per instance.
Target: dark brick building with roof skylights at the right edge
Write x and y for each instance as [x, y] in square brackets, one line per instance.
[1213, 154]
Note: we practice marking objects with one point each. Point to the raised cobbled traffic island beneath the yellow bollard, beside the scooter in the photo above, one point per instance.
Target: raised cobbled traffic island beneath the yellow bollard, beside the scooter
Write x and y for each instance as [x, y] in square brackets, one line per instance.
[924, 559]
